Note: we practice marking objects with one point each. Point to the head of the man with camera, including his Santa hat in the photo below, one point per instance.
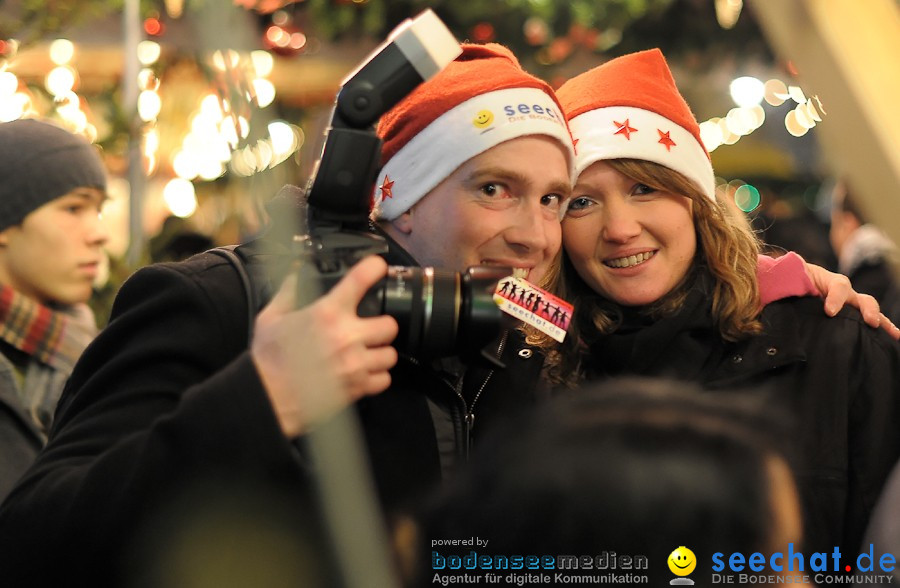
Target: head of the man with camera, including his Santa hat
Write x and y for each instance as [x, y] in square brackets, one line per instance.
[475, 164]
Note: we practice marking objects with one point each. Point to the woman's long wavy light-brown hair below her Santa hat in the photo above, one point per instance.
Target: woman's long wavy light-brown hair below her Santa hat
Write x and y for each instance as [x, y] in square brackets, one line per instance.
[727, 252]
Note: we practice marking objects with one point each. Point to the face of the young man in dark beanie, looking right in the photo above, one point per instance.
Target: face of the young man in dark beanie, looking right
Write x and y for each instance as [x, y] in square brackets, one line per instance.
[55, 253]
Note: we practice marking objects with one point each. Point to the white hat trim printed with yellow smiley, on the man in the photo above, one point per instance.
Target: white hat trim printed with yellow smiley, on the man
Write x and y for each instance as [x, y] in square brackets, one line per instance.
[458, 135]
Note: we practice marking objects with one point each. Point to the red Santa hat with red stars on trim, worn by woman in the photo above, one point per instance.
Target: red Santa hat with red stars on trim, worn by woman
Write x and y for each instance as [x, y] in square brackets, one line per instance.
[629, 107]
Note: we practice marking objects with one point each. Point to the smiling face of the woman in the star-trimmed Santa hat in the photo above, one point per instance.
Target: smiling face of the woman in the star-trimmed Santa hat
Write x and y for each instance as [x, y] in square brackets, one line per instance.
[629, 242]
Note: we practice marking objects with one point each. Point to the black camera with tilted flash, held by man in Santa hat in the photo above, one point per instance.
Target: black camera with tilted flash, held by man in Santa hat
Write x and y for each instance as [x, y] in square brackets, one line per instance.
[440, 313]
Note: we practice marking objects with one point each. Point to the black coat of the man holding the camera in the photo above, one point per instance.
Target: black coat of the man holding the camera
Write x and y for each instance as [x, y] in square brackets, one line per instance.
[166, 413]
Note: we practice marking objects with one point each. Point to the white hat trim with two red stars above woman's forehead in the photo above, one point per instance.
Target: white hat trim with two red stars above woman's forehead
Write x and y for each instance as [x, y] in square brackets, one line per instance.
[602, 134]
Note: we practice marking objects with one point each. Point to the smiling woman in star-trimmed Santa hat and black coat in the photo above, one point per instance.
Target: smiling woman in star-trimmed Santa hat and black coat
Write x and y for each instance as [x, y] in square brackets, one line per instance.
[662, 272]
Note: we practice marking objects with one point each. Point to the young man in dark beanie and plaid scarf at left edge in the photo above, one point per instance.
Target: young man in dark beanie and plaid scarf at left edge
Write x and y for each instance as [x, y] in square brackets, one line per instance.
[52, 185]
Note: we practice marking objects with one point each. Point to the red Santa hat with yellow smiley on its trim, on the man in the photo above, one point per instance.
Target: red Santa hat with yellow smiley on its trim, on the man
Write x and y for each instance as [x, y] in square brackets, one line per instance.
[480, 100]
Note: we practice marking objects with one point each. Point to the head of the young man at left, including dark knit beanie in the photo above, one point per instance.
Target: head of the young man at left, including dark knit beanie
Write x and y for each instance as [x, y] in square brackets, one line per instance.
[50, 178]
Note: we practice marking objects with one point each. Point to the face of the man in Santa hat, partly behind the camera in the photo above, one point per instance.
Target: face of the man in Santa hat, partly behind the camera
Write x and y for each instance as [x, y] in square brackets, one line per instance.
[499, 208]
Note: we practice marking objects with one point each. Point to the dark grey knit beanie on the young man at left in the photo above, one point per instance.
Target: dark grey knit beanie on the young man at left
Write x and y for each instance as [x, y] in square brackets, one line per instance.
[40, 162]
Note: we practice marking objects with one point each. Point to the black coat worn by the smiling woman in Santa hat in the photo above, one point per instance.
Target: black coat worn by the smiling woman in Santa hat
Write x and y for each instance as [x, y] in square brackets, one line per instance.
[837, 379]
